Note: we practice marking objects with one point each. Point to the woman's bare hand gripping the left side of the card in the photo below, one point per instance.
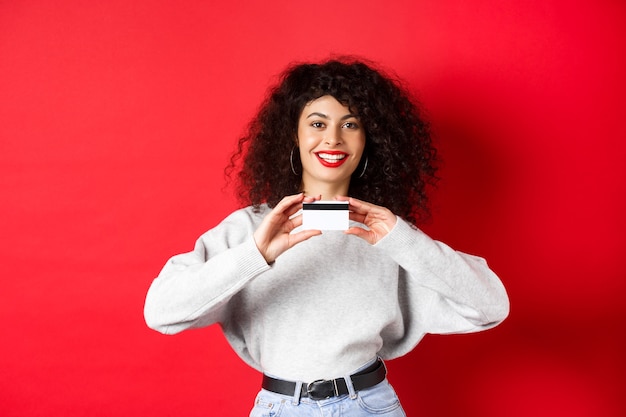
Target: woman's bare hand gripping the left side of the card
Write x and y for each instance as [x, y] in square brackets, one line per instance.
[273, 237]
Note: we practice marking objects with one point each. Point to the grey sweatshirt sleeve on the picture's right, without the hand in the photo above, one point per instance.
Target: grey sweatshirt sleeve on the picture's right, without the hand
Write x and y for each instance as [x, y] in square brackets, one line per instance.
[449, 291]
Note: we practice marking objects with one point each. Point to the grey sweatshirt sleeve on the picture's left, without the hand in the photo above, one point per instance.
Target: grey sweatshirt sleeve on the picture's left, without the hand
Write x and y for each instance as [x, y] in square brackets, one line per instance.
[193, 288]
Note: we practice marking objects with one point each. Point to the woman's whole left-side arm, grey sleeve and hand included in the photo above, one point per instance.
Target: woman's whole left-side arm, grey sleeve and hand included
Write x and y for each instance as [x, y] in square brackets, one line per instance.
[194, 288]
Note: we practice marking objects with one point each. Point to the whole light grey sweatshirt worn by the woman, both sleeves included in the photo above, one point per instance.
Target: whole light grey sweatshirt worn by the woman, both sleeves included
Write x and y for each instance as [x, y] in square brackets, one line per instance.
[328, 305]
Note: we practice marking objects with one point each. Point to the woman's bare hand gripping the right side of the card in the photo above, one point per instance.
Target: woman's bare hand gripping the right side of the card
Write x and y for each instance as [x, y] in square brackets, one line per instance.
[378, 219]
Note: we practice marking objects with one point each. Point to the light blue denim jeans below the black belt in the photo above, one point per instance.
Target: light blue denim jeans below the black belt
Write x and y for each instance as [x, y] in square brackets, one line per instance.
[379, 400]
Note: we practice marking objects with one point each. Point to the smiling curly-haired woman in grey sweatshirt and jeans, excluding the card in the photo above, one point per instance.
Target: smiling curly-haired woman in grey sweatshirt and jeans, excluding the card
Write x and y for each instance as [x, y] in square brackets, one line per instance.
[315, 311]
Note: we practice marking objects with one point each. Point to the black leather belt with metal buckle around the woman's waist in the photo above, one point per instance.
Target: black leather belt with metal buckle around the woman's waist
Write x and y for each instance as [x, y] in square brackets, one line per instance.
[322, 389]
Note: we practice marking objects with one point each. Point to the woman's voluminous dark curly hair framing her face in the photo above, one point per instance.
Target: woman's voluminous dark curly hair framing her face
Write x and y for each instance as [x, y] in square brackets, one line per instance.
[401, 159]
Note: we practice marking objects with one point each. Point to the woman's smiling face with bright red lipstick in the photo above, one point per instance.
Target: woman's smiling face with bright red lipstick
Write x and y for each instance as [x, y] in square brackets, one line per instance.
[331, 141]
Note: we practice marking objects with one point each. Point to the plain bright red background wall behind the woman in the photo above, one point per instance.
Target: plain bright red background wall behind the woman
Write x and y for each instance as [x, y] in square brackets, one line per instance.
[117, 119]
